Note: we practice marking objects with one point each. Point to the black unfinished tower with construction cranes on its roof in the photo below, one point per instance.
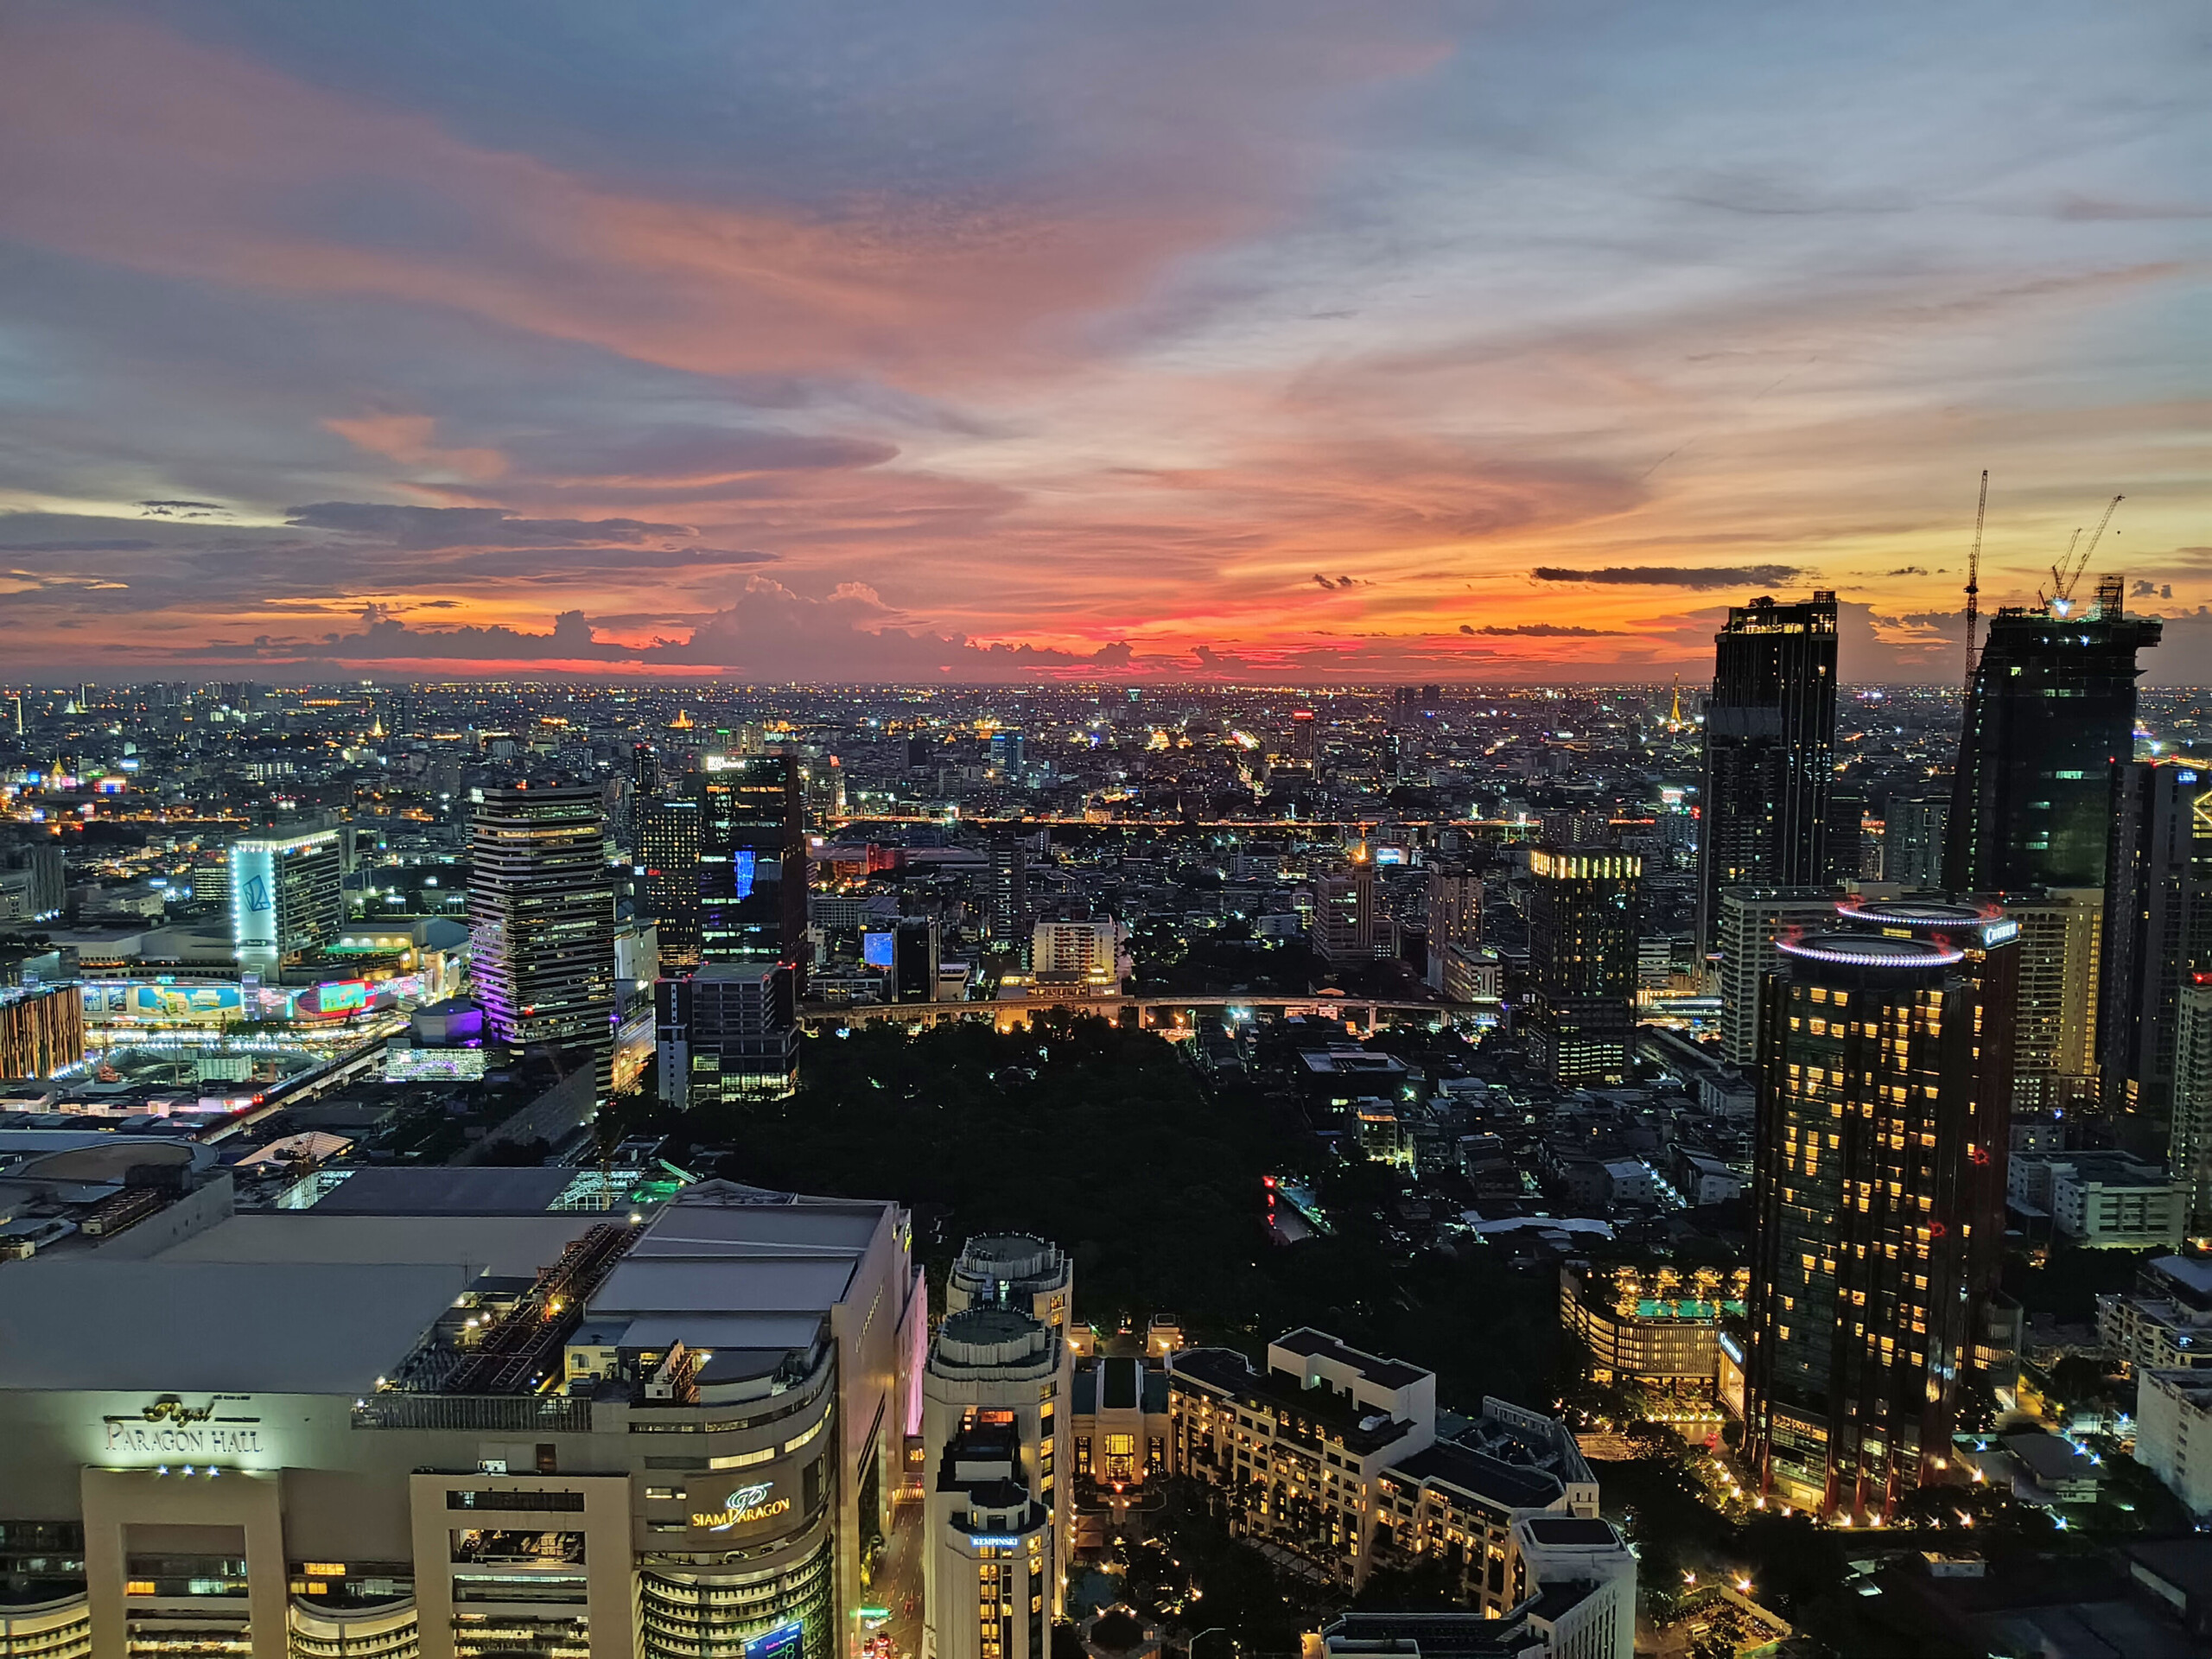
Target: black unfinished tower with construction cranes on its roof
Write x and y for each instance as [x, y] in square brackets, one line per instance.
[2049, 716]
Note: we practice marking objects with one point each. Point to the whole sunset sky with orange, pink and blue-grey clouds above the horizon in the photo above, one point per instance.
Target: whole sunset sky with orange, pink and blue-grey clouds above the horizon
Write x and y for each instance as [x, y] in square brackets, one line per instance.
[1209, 340]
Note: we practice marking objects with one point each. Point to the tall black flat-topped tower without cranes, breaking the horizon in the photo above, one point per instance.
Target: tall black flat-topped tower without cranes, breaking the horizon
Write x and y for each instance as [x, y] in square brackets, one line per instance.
[1771, 751]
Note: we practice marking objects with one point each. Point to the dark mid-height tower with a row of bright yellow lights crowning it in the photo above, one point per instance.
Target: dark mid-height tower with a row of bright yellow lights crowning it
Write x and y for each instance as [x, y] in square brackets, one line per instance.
[1585, 917]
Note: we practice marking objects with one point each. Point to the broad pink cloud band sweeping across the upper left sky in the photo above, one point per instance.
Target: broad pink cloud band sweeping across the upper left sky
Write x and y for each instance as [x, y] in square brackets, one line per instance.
[129, 145]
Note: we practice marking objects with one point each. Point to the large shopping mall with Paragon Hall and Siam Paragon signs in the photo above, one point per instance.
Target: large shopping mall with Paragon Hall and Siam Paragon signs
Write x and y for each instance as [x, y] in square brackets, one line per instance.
[463, 1434]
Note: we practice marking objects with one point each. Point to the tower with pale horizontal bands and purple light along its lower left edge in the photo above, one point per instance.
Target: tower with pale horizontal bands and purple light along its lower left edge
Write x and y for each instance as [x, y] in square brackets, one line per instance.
[543, 910]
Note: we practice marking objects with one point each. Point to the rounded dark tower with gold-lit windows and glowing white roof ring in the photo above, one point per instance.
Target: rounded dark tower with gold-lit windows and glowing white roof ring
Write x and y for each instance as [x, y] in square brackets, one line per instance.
[1877, 1204]
